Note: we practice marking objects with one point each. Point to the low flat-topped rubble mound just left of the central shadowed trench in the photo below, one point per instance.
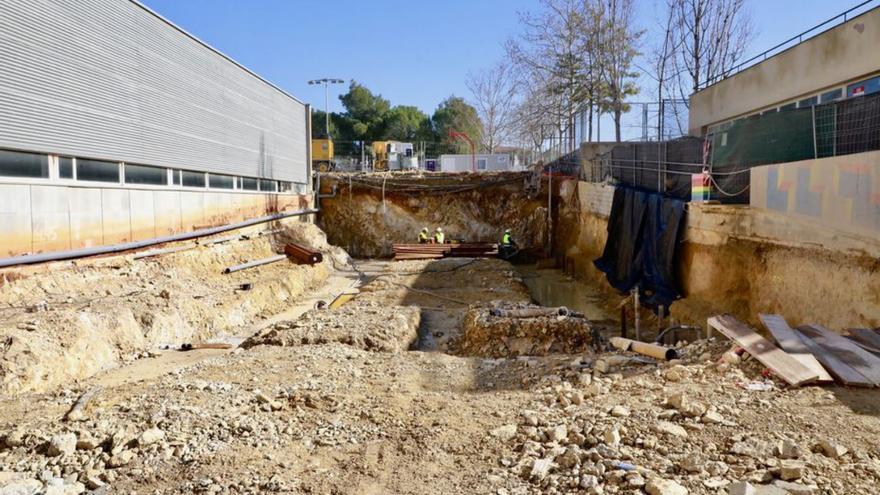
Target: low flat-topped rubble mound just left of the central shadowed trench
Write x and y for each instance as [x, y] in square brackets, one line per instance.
[362, 324]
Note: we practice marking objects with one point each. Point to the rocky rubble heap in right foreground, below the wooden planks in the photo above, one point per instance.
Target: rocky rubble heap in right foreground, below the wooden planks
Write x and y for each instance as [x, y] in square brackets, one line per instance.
[660, 431]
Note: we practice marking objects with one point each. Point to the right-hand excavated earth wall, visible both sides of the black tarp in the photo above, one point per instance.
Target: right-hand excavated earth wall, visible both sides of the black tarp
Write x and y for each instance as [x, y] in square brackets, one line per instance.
[743, 261]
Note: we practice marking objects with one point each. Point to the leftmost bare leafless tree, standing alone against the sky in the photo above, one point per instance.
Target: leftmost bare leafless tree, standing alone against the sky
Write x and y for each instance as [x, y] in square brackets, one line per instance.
[494, 92]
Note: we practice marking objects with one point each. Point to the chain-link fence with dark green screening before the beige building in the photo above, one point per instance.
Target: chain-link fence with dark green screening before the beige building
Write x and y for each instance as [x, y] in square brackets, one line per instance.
[730, 151]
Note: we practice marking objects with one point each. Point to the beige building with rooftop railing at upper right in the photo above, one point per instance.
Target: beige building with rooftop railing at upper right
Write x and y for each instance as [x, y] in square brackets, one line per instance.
[842, 62]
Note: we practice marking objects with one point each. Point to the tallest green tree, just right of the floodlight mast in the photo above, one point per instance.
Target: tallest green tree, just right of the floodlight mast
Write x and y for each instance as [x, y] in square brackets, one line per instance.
[365, 114]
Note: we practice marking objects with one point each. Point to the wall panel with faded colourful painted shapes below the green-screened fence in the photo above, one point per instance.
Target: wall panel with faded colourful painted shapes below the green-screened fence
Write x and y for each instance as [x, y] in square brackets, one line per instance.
[841, 192]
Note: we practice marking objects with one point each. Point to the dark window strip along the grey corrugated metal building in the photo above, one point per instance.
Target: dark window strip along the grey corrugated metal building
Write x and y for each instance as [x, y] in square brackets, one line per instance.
[36, 166]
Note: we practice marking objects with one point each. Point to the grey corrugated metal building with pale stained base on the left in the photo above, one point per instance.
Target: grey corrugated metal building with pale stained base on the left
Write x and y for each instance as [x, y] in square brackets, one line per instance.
[117, 125]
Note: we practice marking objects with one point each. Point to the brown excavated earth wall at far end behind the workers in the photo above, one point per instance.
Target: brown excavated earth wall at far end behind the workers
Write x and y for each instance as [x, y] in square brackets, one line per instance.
[366, 220]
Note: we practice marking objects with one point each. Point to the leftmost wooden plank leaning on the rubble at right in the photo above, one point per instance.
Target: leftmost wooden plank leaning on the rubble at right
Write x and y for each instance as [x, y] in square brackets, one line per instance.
[789, 369]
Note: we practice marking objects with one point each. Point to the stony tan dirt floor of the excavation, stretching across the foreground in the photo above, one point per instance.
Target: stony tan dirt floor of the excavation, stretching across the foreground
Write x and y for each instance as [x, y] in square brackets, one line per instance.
[370, 398]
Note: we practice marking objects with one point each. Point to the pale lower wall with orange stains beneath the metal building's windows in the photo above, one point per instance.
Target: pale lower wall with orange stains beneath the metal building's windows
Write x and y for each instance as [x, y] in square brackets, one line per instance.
[42, 218]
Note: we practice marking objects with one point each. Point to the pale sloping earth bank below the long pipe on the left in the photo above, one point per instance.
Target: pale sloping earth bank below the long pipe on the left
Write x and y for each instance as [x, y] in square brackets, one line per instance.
[65, 321]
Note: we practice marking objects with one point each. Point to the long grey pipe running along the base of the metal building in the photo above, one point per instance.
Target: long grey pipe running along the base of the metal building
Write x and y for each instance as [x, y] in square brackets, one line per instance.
[115, 248]
